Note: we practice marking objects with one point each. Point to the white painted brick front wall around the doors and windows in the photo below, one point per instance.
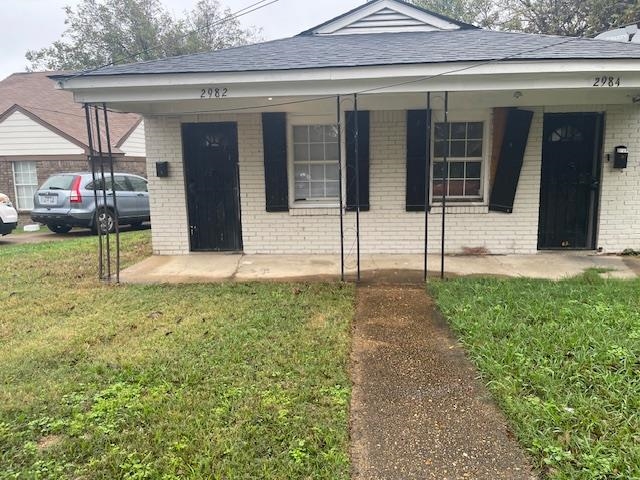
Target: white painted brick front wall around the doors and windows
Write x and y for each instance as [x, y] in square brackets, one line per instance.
[387, 227]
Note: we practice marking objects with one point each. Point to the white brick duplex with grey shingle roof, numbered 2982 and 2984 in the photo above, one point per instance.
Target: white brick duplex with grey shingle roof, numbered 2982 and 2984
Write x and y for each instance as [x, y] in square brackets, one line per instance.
[525, 149]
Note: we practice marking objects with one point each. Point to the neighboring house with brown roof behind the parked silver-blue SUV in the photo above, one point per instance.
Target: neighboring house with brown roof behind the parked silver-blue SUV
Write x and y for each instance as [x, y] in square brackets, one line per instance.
[43, 131]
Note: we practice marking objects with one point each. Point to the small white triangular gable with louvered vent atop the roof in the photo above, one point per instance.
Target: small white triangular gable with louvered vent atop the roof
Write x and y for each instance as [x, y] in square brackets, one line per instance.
[382, 16]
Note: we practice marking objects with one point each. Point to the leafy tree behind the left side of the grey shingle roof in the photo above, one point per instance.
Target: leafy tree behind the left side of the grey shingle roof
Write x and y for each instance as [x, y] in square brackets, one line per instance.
[101, 32]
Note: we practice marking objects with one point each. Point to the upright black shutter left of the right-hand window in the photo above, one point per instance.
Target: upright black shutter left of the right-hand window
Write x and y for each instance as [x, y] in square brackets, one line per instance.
[416, 159]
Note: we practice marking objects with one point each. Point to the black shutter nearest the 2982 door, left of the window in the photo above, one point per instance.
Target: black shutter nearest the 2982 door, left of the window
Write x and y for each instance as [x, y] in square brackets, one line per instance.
[274, 139]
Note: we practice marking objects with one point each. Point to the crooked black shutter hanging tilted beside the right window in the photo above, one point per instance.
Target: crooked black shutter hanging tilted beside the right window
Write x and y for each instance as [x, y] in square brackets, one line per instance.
[510, 161]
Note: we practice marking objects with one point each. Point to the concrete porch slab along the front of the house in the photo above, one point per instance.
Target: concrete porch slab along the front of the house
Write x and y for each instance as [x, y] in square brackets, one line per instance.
[206, 267]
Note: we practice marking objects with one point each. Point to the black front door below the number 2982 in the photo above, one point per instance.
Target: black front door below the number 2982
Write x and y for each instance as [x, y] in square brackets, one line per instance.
[211, 178]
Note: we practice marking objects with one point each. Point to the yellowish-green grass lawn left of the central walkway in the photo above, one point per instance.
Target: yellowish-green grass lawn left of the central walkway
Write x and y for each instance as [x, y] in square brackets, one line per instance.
[167, 382]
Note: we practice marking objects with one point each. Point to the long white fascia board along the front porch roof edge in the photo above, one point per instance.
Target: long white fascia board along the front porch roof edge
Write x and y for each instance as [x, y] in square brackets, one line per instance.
[541, 67]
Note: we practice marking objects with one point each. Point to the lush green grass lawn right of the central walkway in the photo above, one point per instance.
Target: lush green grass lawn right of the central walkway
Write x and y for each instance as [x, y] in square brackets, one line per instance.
[563, 361]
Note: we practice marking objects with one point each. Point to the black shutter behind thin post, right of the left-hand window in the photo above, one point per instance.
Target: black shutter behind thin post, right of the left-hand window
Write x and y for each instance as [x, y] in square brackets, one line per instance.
[363, 150]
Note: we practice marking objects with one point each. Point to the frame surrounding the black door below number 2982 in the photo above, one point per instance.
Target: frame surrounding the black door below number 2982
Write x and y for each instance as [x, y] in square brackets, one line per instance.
[237, 198]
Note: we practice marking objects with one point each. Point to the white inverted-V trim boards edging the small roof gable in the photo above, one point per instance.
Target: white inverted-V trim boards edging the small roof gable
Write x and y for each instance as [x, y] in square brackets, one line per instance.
[373, 7]
